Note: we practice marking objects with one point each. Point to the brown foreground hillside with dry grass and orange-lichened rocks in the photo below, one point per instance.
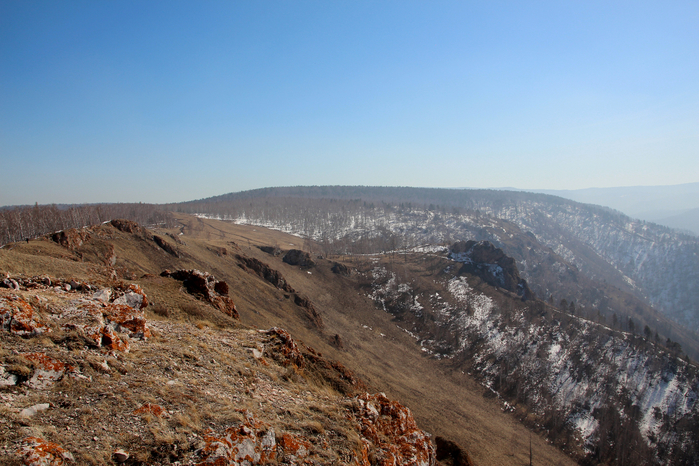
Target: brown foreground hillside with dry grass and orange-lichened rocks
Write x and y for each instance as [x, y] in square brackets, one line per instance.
[184, 385]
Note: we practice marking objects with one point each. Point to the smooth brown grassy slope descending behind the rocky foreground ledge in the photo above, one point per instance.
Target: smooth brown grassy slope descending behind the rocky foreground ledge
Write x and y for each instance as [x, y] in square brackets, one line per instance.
[444, 403]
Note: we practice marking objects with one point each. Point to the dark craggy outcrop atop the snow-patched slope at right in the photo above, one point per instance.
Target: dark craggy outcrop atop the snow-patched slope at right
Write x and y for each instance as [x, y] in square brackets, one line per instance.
[491, 264]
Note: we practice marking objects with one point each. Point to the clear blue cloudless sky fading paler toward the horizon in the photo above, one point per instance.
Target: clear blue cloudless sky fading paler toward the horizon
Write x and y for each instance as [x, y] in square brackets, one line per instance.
[119, 101]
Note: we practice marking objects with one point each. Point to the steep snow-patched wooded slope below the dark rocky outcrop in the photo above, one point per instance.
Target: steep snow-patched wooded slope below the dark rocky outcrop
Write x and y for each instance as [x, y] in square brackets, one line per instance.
[606, 396]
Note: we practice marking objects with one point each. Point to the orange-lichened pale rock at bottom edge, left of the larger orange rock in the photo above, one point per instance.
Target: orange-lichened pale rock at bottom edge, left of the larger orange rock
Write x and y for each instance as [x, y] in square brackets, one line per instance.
[250, 443]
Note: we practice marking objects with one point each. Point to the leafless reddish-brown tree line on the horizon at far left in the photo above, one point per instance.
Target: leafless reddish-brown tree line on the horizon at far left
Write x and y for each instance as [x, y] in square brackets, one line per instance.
[24, 222]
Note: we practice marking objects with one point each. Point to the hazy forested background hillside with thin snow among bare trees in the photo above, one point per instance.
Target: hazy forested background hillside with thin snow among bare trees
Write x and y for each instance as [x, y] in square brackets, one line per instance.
[613, 268]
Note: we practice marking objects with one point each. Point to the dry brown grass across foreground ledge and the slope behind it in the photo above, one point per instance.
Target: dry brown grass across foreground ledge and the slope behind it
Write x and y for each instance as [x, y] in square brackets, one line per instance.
[213, 374]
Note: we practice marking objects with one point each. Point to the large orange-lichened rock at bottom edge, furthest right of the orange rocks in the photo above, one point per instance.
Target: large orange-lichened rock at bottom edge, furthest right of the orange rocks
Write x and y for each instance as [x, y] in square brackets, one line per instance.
[393, 433]
